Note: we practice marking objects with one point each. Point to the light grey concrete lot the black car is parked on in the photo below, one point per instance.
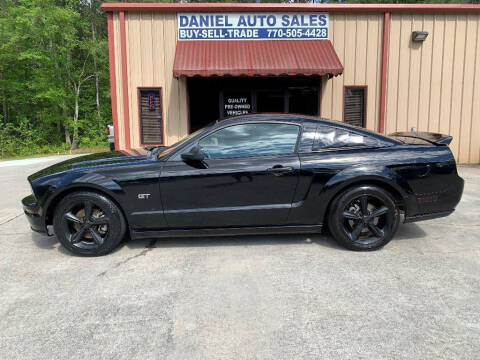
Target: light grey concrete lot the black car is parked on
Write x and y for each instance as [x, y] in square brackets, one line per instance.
[261, 297]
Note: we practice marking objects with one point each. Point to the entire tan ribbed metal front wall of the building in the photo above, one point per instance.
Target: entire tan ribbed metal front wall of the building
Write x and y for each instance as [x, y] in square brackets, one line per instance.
[434, 85]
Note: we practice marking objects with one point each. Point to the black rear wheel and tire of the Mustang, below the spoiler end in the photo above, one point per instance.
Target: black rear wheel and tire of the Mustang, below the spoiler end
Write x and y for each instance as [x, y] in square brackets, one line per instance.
[363, 218]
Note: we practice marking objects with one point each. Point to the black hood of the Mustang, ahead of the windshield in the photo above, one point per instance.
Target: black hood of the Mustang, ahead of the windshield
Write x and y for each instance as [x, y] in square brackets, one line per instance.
[87, 161]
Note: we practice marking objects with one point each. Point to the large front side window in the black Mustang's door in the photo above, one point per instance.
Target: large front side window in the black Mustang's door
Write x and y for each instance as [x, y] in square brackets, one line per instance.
[251, 139]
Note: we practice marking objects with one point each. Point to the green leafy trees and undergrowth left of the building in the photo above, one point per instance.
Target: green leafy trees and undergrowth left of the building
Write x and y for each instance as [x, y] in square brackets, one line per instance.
[53, 56]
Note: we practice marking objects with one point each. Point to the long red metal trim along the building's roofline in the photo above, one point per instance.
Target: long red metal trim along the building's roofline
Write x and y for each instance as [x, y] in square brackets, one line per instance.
[269, 7]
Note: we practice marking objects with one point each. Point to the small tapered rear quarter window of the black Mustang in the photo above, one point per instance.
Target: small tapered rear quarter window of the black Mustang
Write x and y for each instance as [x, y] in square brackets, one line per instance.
[331, 138]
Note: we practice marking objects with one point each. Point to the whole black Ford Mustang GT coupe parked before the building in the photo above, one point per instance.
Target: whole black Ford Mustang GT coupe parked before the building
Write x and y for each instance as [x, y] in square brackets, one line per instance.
[254, 174]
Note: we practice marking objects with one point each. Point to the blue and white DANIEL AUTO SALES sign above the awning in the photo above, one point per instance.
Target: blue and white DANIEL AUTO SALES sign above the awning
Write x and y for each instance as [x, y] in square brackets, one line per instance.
[252, 26]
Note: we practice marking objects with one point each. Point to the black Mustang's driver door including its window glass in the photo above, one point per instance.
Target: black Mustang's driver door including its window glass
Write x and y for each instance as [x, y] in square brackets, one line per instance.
[248, 178]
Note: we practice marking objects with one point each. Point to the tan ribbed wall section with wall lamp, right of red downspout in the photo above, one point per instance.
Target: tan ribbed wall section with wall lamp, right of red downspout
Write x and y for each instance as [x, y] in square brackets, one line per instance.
[435, 85]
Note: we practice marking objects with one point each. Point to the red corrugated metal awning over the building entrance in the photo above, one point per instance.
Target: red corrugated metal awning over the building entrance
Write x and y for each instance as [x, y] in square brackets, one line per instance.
[256, 58]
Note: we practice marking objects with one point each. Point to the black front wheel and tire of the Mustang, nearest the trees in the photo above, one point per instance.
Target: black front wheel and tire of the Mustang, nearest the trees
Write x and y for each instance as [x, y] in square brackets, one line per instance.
[88, 224]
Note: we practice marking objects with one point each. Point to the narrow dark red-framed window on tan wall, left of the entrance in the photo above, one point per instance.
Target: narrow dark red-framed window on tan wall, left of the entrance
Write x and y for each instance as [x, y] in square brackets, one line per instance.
[151, 121]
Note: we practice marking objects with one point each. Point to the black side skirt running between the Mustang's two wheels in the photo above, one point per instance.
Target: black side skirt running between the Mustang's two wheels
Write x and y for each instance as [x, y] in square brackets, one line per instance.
[261, 230]
